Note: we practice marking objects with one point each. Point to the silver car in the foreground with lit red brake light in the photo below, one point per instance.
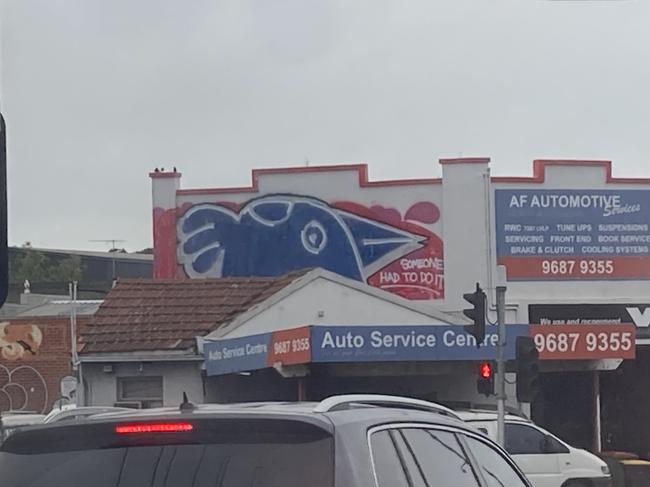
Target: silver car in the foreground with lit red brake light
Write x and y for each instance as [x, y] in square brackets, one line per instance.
[344, 441]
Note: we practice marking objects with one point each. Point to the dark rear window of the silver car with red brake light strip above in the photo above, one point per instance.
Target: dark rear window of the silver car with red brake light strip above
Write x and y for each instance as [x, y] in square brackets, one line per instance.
[207, 453]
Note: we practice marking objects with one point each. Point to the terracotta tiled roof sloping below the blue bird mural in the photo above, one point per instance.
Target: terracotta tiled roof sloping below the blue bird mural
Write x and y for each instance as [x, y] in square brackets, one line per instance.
[161, 314]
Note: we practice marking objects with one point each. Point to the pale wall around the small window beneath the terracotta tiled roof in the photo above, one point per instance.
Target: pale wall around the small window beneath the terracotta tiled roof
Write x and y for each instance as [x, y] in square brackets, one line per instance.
[178, 377]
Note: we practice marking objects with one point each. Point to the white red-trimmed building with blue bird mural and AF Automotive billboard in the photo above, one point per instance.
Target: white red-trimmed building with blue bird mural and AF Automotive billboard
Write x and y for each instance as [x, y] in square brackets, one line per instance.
[574, 239]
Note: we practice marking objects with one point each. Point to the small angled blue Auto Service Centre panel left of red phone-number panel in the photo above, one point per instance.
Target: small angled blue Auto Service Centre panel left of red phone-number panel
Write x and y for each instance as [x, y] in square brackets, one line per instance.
[237, 354]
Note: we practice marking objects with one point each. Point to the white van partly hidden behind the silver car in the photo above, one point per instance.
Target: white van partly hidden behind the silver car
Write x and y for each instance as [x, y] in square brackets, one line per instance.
[545, 459]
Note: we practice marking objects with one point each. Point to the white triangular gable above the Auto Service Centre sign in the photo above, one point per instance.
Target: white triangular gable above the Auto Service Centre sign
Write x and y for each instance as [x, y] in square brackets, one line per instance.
[339, 304]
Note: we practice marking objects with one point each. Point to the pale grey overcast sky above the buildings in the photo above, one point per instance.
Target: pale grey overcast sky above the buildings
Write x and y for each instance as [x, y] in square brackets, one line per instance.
[96, 93]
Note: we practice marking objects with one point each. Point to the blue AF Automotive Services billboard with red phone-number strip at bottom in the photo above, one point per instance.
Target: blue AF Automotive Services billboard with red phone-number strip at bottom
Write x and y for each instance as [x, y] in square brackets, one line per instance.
[573, 234]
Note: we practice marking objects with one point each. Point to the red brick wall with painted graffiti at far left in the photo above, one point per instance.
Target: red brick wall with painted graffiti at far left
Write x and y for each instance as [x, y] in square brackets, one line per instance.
[34, 357]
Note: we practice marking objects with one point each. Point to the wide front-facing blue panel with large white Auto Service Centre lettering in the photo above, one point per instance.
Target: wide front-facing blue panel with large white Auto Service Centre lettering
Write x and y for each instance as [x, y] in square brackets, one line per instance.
[406, 343]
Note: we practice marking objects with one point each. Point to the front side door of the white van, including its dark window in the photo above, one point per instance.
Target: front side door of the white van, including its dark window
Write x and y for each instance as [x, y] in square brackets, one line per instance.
[528, 446]
